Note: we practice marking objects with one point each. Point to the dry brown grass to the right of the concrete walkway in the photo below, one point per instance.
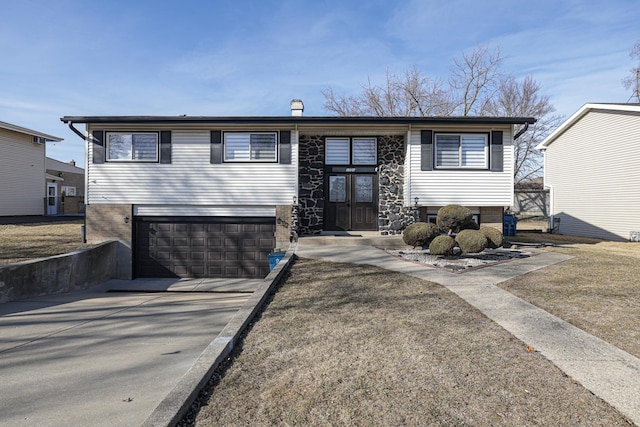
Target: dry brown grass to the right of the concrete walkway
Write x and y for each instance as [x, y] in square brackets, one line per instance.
[597, 291]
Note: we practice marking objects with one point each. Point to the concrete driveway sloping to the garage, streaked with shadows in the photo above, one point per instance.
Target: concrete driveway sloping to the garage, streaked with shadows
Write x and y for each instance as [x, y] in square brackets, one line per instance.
[107, 358]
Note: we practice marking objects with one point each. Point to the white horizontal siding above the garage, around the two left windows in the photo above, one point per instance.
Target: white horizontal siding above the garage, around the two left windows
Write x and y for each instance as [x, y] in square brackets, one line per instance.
[191, 180]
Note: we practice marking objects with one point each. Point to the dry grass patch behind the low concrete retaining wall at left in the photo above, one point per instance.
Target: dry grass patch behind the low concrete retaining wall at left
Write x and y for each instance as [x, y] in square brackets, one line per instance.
[22, 242]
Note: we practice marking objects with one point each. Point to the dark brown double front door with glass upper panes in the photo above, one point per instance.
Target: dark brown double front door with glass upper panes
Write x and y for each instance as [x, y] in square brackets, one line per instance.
[351, 201]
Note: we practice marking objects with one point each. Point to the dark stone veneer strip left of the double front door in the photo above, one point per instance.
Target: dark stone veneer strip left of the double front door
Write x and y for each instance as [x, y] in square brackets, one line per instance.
[311, 184]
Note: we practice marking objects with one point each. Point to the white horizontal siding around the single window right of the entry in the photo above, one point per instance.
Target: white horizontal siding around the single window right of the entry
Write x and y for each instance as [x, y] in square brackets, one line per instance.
[467, 187]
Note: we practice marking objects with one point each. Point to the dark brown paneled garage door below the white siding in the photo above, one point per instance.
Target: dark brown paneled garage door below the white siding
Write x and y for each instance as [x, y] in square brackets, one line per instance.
[225, 247]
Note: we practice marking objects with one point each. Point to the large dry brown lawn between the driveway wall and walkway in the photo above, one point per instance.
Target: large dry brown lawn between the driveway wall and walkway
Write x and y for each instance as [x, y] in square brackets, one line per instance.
[344, 344]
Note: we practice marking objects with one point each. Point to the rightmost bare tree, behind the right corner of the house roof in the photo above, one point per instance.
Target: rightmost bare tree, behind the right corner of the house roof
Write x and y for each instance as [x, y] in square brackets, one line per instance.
[524, 99]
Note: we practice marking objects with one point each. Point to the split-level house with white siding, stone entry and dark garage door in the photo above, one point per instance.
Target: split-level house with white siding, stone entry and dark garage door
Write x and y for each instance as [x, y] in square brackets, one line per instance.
[212, 196]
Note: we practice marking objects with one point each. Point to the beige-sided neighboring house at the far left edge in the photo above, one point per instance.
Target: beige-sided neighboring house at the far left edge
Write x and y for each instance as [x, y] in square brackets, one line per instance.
[23, 186]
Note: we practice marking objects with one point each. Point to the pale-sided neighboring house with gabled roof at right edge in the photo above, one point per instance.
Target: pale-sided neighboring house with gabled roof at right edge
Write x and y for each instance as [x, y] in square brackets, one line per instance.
[592, 172]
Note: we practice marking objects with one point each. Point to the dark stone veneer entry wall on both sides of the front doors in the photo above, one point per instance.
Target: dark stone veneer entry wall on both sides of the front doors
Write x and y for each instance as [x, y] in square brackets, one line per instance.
[393, 216]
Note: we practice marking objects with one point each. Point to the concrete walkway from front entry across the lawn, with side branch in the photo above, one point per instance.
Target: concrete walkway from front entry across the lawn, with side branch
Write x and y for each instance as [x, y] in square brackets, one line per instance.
[605, 370]
